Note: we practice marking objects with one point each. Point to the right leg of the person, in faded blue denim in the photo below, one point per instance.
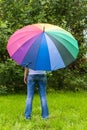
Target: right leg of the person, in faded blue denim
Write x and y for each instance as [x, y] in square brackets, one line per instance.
[42, 91]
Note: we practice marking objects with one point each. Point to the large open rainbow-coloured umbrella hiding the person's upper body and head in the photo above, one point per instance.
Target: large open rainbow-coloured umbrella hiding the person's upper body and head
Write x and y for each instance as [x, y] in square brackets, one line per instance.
[42, 46]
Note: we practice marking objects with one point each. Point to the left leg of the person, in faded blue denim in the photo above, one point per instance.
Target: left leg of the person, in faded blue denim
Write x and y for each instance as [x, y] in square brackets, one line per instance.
[30, 94]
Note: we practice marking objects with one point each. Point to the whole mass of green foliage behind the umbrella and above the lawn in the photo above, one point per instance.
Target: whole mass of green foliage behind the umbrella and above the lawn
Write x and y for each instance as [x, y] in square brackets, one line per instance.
[71, 15]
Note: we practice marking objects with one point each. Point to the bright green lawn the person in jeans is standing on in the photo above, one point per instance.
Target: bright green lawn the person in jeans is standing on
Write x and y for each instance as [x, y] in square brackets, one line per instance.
[68, 111]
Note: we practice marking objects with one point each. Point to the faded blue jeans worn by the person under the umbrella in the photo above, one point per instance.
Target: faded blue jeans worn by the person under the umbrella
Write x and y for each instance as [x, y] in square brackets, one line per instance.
[42, 81]
